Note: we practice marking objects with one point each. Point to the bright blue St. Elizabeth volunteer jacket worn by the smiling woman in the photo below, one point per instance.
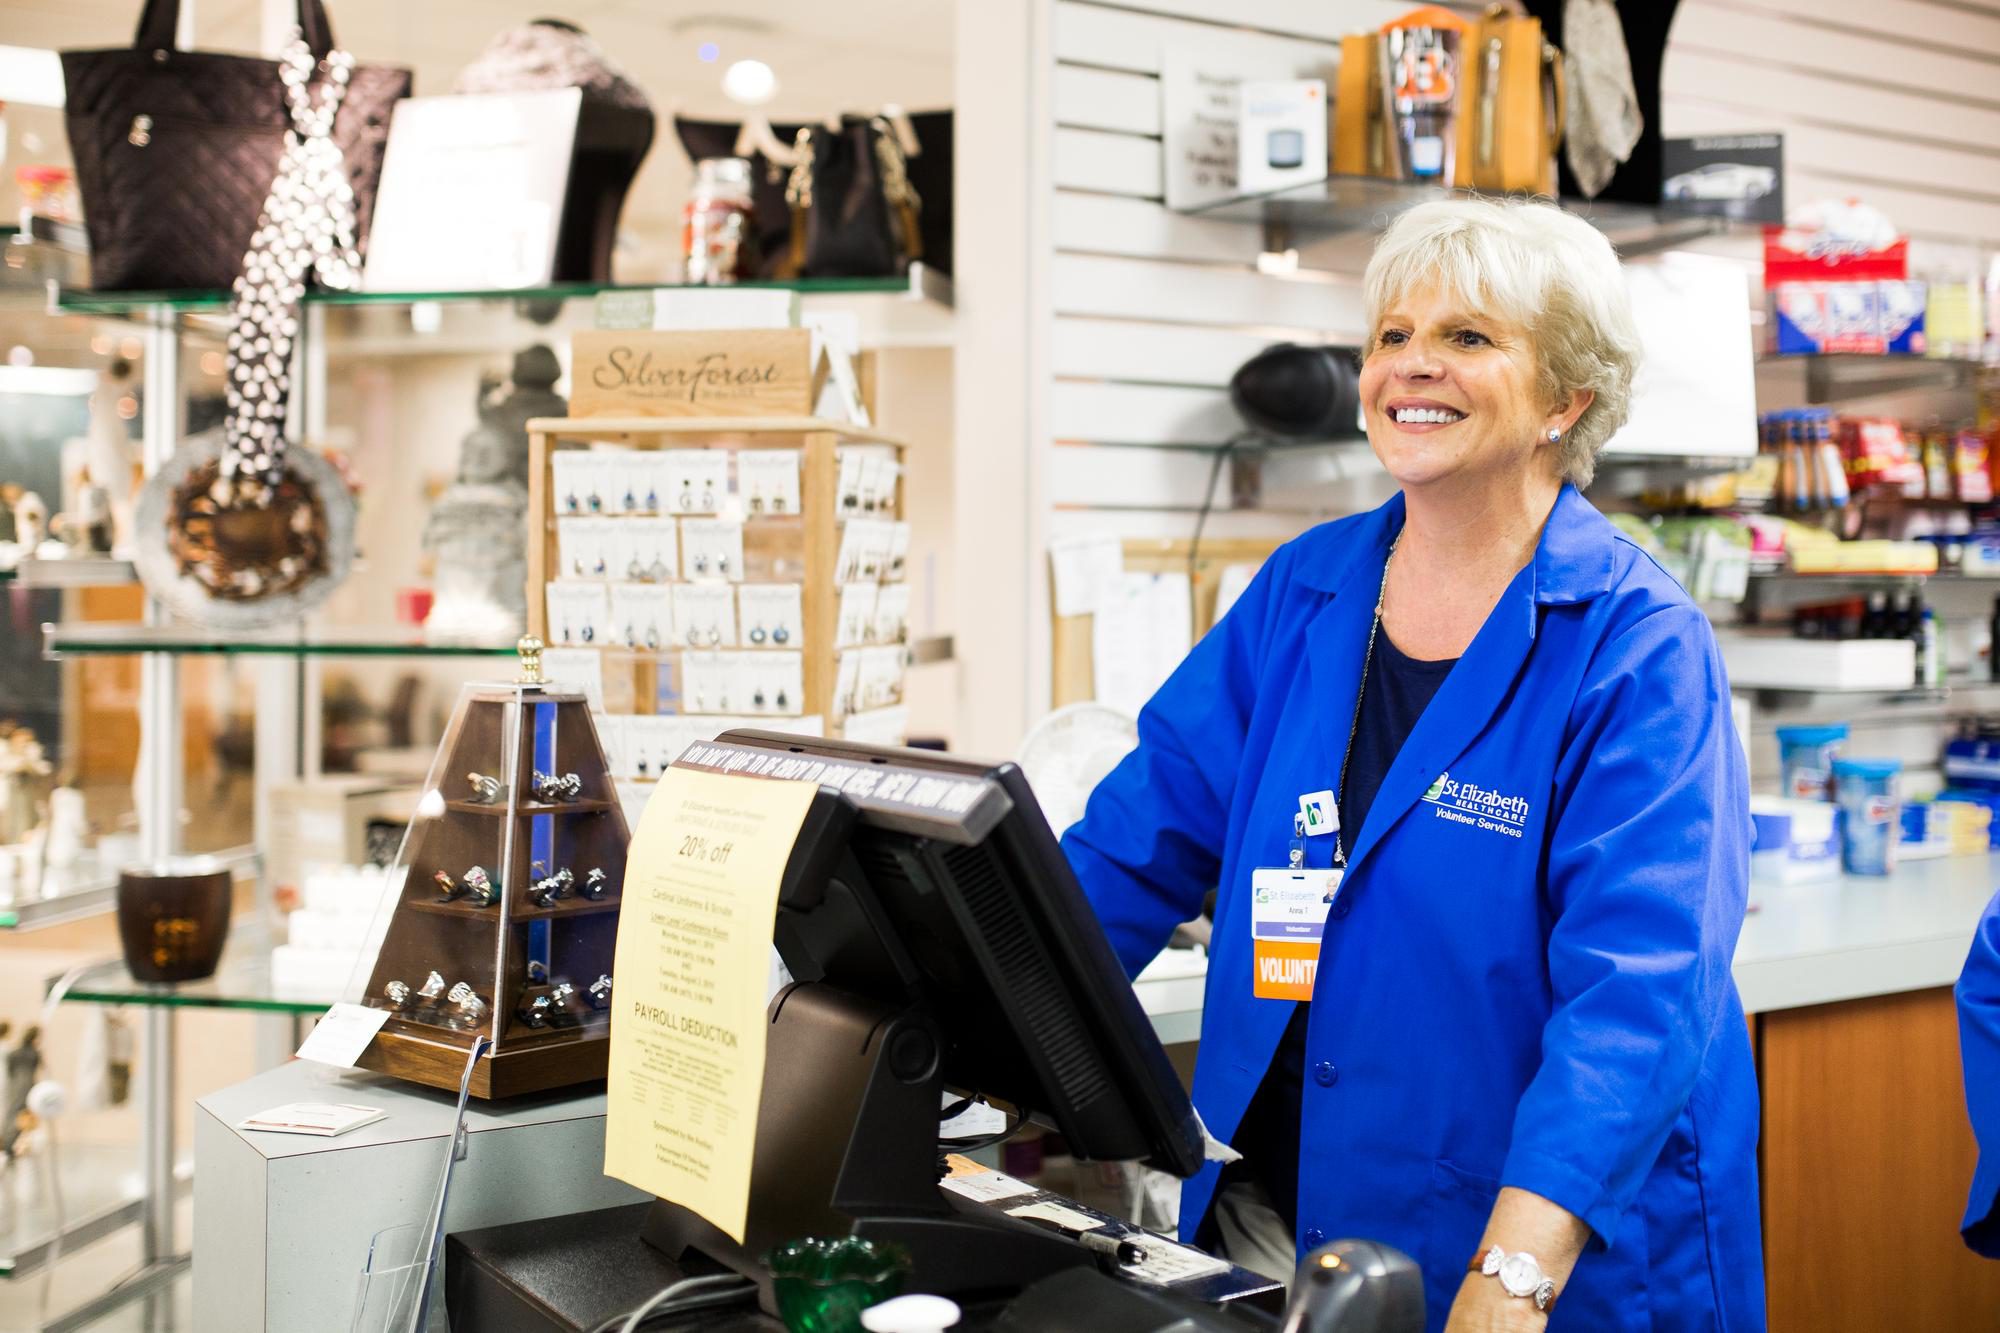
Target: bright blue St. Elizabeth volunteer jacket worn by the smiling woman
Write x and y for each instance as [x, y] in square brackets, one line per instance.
[1527, 974]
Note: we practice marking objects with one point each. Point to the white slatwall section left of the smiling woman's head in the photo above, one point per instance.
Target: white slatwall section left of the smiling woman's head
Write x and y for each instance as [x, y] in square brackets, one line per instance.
[1155, 309]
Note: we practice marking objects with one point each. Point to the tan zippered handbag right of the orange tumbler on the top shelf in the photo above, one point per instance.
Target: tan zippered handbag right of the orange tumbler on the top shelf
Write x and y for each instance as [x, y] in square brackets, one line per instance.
[1515, 99]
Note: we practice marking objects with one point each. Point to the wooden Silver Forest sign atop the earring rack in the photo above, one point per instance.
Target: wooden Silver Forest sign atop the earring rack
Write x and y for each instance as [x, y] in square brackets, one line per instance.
[711, 373]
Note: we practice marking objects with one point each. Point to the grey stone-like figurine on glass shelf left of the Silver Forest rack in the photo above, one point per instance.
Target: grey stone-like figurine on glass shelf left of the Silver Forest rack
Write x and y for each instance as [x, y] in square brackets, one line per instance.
[479, 527]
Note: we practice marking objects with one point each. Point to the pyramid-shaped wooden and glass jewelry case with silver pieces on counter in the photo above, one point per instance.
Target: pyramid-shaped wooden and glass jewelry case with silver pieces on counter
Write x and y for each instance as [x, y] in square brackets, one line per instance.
[513, 874]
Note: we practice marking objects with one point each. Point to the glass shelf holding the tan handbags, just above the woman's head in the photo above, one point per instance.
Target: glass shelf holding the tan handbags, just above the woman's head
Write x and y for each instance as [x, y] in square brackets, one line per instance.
[1367, 203]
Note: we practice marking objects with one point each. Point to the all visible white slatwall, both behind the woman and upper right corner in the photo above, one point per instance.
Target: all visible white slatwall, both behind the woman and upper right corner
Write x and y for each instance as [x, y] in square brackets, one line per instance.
[1891, 99]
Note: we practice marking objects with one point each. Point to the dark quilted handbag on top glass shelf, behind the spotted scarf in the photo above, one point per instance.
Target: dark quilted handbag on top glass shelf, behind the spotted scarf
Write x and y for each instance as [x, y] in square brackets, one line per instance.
[177, 149]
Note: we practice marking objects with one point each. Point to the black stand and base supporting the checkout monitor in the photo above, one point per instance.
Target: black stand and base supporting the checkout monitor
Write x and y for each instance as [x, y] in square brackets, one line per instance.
[849, 1146]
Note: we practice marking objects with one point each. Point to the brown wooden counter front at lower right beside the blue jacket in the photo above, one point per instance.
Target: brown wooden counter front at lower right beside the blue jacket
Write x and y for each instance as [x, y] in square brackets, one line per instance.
[1867, 1160]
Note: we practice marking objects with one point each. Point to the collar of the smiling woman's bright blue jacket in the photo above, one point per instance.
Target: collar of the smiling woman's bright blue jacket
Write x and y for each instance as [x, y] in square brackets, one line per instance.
[1573, 559]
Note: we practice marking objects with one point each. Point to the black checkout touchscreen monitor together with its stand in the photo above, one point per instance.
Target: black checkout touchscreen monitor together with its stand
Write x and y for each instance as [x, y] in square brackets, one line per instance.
[937, 942]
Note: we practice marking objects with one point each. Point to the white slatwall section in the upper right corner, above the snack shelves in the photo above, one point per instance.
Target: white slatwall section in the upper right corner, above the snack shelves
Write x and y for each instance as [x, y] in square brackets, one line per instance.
[1889, 101]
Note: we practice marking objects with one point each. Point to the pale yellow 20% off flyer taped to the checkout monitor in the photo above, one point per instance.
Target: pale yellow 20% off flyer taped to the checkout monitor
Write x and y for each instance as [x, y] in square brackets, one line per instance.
[693, 968]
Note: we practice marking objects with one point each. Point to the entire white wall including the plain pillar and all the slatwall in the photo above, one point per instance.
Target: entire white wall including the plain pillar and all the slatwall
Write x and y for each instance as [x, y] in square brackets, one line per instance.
[1145, 313]
